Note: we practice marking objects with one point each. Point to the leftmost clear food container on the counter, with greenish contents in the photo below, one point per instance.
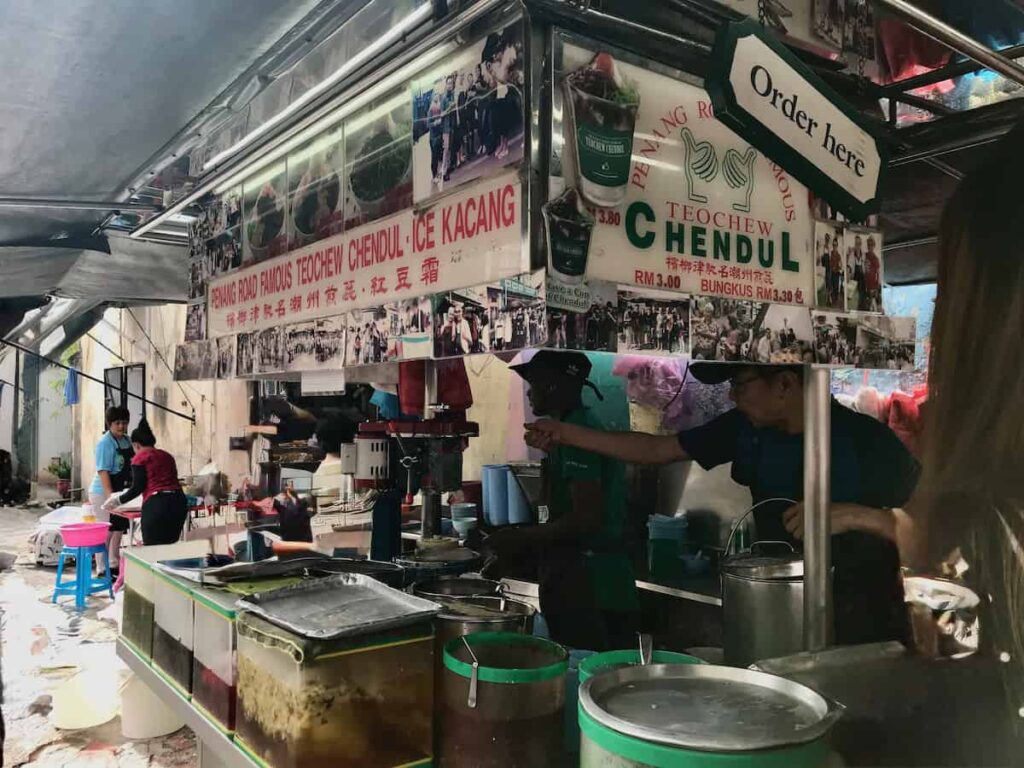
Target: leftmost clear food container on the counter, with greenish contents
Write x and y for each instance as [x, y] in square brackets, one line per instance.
[140, 591]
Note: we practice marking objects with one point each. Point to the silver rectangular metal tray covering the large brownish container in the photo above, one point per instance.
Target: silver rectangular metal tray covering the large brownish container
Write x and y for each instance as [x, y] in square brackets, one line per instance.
[343, 606]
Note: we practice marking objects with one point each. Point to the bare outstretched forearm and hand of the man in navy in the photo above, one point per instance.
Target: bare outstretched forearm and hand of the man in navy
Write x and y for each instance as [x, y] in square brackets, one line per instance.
[633, 448]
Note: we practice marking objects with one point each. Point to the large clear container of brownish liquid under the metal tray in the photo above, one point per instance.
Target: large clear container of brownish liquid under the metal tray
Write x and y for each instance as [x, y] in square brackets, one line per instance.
[363, 702]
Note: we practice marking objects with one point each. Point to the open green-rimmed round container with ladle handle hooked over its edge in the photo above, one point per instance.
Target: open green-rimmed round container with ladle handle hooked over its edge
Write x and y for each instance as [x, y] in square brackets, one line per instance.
[502, 701]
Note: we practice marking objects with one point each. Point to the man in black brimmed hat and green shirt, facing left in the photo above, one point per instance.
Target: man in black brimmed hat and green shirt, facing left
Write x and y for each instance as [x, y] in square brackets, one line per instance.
[587, 586]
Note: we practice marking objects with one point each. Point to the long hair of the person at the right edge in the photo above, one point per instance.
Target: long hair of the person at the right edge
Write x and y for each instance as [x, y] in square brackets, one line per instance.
[971, 495]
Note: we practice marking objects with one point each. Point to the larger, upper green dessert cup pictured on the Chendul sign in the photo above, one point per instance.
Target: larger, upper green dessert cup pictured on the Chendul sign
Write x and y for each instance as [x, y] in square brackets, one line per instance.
[604, 112]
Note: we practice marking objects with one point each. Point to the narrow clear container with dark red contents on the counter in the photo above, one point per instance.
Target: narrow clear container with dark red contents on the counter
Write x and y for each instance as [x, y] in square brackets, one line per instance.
[215, 656]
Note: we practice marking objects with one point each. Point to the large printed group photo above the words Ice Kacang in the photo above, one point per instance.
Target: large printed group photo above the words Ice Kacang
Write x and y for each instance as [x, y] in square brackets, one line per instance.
[468, 114]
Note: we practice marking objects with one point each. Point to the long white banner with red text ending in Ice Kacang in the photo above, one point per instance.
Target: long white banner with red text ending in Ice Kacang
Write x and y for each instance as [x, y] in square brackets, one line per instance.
[470, 238]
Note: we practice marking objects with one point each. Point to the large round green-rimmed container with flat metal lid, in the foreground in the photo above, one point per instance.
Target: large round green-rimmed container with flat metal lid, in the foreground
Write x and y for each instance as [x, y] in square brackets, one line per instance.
[684, 716]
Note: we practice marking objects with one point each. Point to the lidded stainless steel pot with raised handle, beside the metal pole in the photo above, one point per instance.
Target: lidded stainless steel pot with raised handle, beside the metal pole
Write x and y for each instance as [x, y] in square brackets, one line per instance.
[762, 607]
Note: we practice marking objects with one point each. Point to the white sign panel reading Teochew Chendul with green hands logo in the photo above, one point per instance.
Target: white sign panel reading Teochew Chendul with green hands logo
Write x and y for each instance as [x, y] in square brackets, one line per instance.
[704, 212]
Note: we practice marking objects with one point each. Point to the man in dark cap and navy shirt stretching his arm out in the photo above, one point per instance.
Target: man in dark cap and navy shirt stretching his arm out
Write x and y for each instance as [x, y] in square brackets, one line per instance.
[872, 476]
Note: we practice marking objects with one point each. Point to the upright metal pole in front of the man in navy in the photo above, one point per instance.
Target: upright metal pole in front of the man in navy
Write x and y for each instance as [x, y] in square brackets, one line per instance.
[818, 498]
